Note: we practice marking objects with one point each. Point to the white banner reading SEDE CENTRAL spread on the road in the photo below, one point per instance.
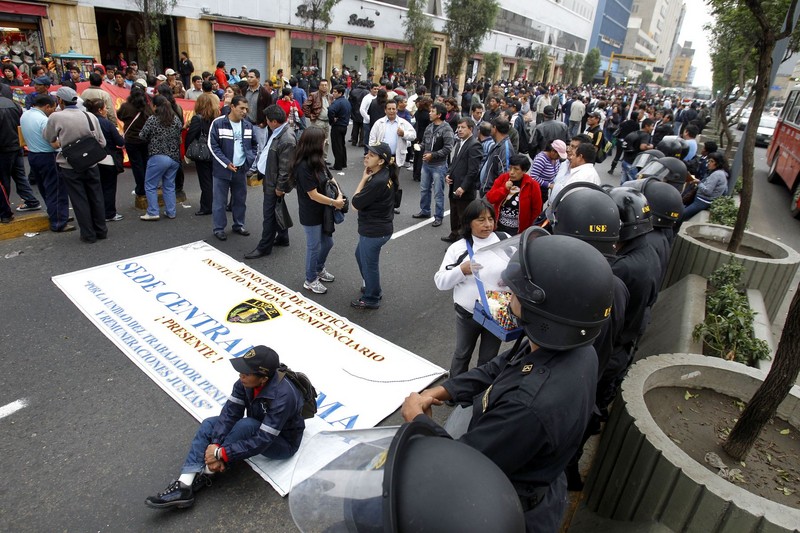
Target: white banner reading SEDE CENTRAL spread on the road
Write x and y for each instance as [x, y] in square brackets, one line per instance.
[181, 313]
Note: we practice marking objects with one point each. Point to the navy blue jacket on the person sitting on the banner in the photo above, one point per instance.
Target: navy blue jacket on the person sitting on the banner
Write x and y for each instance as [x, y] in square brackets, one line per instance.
[277, 407]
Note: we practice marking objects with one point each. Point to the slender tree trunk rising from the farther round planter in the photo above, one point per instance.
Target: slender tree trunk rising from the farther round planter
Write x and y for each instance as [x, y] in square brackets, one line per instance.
[748, 144]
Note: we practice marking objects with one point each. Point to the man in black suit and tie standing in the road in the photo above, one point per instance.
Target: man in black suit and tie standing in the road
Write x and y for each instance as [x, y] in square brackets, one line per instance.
[463, 175]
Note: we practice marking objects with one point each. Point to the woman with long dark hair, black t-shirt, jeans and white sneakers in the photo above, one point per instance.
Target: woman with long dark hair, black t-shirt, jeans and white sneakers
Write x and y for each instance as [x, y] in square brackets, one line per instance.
[308, 169]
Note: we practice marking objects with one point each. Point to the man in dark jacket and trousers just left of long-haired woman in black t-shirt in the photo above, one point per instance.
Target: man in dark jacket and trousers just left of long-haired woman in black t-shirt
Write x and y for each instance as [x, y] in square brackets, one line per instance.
[273, 164]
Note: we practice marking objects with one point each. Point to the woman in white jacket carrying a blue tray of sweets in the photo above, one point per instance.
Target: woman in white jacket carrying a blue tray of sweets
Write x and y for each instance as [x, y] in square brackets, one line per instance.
[456, 273]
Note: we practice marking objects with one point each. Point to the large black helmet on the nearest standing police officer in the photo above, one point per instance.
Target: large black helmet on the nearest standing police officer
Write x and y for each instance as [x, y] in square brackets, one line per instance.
[565, 287]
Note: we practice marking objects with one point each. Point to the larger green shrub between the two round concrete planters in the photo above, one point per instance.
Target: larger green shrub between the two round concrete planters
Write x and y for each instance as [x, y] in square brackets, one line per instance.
[727, 330]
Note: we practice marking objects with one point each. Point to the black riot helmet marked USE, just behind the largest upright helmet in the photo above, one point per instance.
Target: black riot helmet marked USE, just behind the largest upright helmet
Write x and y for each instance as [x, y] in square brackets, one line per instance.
[585, 211]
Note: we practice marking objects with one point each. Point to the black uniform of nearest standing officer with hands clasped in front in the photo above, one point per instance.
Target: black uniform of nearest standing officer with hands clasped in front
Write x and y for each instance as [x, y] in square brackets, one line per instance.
[529, 411]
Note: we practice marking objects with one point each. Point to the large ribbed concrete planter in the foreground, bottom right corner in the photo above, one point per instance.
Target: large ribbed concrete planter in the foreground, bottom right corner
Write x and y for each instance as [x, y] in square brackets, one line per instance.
[640, 474]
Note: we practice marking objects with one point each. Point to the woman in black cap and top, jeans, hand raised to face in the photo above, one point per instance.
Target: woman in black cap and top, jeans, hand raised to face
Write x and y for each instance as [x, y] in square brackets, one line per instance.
[374, 199]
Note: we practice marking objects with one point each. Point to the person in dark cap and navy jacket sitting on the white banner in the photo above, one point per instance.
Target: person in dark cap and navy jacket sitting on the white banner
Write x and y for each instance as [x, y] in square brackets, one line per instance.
[261, 417]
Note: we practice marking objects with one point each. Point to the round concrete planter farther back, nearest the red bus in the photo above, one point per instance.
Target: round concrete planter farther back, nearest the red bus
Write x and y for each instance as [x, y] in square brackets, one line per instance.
[772, 275]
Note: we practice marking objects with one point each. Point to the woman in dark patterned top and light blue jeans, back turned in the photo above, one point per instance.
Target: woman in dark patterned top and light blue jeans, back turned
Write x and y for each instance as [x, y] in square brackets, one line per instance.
[163, 131]
